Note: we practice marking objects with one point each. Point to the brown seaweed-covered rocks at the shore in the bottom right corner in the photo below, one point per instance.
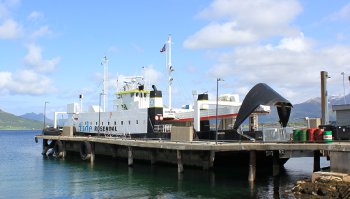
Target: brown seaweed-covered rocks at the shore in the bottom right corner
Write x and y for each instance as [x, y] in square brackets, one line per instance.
[323, 186]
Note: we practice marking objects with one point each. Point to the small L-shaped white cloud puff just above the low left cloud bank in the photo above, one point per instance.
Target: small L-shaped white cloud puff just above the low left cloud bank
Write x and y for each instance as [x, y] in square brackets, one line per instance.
[35, 62]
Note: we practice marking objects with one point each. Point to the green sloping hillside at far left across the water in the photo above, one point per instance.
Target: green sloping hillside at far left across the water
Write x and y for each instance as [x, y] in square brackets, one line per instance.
[9, 121]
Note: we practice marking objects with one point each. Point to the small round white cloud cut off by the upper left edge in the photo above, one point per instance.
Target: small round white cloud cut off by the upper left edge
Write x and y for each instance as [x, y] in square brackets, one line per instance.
[9, 29]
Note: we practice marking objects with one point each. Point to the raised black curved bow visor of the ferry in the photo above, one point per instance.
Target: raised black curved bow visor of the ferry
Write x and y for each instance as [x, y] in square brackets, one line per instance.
[262, 94]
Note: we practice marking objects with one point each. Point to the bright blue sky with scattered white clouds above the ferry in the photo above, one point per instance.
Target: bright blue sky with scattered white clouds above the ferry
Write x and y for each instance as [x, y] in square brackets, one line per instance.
[51, 51]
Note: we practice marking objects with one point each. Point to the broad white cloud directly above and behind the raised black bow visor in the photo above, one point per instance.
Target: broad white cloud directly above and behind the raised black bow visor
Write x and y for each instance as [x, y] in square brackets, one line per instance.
[294, 71]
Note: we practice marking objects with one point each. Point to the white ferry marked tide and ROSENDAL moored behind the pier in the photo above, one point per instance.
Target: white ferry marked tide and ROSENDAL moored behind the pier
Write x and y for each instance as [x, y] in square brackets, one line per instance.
[140, 112]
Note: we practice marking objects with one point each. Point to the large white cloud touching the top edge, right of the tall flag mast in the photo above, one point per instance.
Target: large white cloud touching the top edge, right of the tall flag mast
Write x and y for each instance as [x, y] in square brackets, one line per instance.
[235, 22]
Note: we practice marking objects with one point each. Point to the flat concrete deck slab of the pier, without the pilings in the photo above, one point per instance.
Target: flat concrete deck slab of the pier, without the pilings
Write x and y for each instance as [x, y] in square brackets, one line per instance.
[208, 145]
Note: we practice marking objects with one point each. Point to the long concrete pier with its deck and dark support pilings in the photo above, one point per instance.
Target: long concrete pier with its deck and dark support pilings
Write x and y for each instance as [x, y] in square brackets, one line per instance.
[199, 153]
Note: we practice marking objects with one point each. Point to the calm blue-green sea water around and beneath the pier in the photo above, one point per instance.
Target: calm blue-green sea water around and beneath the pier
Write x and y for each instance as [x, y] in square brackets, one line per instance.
[25, 173]
